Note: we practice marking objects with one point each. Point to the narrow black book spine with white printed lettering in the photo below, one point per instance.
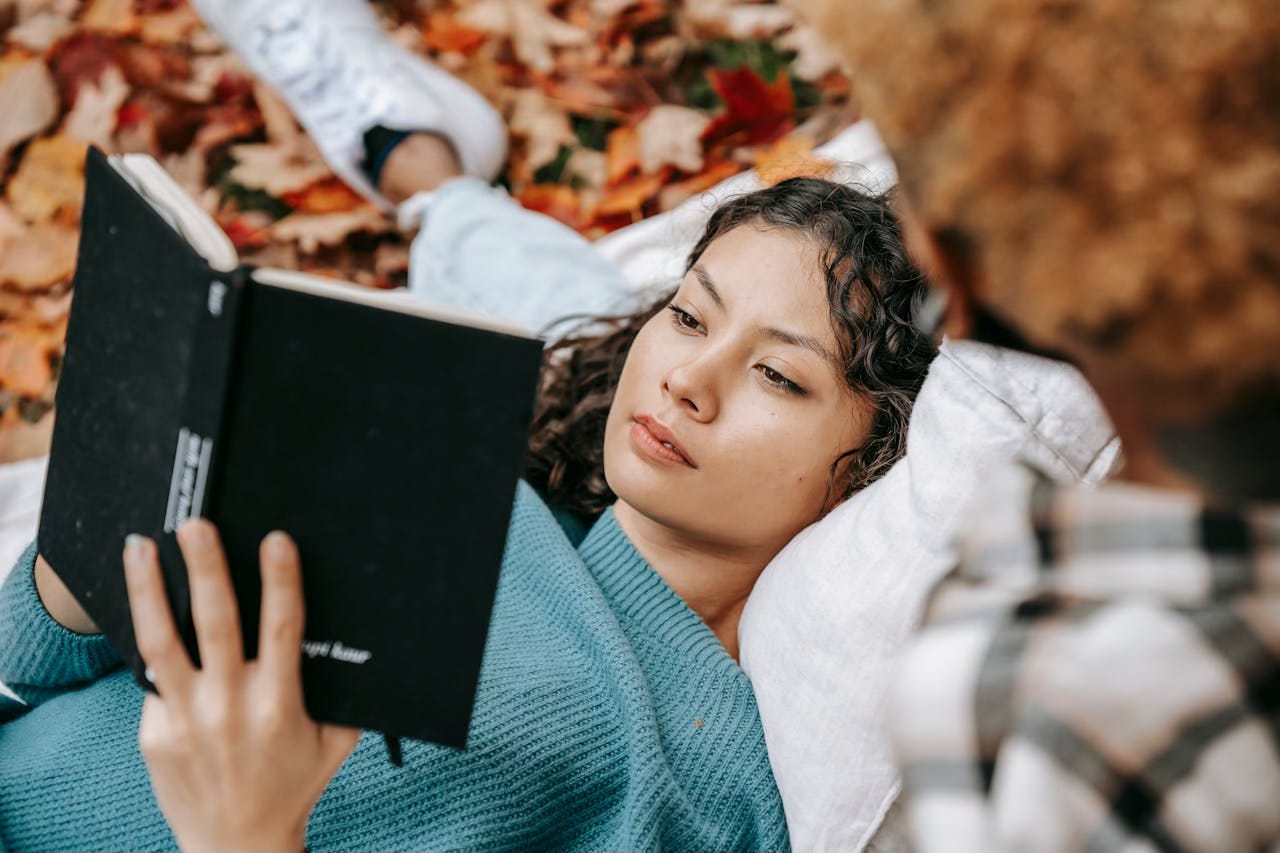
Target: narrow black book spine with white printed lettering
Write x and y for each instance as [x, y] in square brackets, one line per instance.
[208, 390]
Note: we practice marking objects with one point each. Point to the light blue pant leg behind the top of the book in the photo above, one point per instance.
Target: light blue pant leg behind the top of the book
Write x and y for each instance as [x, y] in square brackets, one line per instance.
[478, 249]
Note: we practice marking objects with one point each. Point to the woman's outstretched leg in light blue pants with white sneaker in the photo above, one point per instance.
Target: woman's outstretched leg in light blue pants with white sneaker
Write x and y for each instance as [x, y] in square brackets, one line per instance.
[418, 140]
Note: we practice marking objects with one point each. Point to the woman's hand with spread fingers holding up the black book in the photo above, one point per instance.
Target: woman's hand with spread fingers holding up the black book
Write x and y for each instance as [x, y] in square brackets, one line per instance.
[236, 763]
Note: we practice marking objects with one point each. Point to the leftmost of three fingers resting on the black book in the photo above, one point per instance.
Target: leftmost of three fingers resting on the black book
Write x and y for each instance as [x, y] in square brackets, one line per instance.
[163, 653]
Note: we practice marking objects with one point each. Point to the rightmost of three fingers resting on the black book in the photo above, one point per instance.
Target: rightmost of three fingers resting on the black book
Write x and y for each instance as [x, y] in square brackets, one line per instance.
[280, 646]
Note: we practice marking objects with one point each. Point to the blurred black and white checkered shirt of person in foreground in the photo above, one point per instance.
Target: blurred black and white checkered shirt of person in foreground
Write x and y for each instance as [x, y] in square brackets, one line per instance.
[1101, 673]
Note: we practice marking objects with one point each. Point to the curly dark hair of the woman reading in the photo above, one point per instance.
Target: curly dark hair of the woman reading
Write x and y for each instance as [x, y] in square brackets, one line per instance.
[872, 289]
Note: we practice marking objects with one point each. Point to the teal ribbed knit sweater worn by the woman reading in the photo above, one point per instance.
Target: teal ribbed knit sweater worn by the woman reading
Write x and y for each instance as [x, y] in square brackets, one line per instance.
[609, 717]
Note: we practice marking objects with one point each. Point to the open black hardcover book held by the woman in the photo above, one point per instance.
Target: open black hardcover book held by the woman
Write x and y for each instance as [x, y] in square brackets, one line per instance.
[387, 439]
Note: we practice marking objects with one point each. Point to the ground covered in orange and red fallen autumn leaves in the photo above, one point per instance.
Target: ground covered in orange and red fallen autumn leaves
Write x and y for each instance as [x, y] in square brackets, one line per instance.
[618, 110]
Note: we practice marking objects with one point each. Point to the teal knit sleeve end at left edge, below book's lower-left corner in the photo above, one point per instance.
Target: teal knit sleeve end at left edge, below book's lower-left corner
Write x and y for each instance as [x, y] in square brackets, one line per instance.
[40, 658]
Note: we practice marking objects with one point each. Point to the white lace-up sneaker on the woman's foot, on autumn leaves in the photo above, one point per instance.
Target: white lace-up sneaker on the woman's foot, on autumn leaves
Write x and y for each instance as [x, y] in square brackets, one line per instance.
[335, 66]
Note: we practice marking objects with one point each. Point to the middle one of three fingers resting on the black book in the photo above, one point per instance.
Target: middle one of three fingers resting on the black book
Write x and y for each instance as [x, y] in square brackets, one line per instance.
[213, 600]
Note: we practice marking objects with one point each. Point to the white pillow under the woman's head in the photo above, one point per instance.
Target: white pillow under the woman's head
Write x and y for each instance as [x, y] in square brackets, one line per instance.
[824, 626]
